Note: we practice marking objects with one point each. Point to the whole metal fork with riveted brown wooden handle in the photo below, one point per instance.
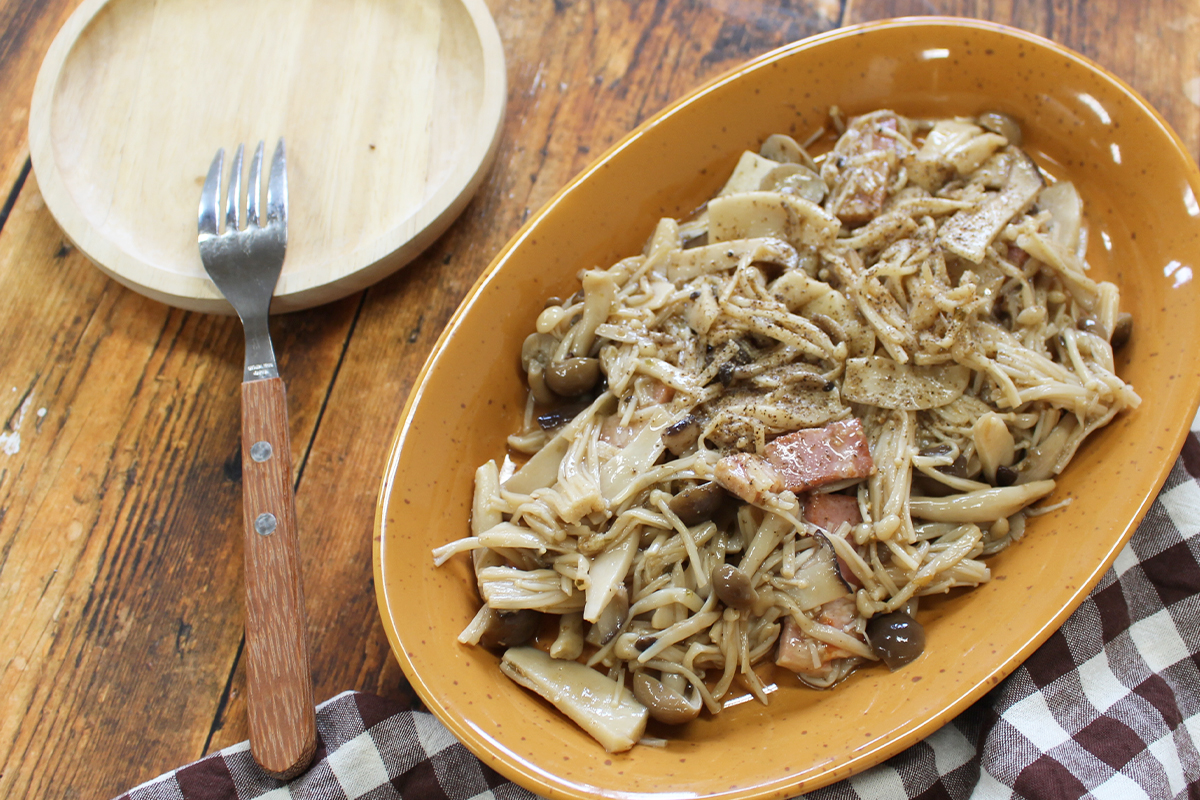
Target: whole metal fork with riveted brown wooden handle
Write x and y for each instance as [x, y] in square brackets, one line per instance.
[245, 266]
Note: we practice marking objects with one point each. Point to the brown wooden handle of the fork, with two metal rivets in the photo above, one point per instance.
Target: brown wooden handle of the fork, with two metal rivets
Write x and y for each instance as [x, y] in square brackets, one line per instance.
[283, 721]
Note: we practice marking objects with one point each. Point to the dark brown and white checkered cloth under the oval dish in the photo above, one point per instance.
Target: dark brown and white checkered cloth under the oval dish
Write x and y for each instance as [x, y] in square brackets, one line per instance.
[1109, 707]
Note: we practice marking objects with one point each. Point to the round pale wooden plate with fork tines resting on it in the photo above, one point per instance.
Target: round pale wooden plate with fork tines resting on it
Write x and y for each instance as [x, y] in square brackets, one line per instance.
[392, 113]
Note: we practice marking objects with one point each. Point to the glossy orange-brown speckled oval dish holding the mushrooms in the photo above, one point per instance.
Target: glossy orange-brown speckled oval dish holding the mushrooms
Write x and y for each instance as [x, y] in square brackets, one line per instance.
[1141, 189]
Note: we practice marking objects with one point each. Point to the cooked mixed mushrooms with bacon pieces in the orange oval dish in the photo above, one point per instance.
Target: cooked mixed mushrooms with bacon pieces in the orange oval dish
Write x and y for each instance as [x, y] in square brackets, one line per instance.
[838, 388]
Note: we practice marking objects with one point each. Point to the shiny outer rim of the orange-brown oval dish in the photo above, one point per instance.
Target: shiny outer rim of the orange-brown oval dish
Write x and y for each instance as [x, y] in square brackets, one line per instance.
[543, 783]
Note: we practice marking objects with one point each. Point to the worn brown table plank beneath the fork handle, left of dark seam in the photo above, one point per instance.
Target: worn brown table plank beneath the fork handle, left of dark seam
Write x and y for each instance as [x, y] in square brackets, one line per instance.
[121, 519]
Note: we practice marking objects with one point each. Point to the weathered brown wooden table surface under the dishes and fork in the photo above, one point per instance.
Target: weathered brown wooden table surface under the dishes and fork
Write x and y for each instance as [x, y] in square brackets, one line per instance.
[121, 543]
